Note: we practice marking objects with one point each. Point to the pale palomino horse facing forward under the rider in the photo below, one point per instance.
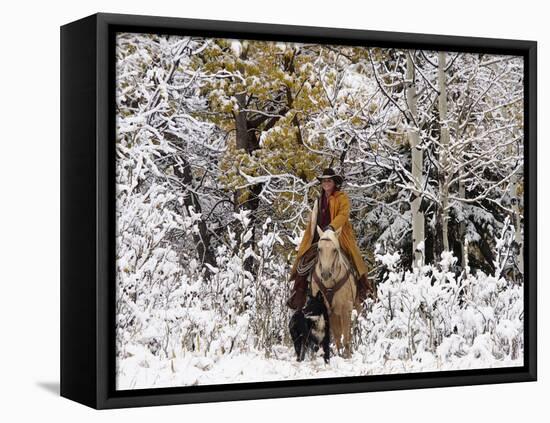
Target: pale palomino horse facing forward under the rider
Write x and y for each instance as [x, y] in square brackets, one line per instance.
[333, 278]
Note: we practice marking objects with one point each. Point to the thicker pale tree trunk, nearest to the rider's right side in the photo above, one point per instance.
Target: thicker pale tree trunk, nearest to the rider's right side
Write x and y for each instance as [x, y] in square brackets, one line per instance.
[417, 169]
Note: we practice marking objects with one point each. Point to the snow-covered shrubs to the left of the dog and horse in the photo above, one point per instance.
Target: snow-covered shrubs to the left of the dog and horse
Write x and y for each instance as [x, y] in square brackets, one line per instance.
[172, 309]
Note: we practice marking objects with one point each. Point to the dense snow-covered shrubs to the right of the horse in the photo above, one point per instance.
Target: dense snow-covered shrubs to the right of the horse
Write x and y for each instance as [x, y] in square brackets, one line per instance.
[431, 312]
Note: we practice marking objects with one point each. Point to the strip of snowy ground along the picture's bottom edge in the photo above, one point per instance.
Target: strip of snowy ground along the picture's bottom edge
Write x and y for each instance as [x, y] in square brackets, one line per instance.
[146, 371]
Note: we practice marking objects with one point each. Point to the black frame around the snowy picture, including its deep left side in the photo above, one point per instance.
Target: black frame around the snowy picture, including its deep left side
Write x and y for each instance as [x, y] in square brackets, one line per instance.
[88, 212]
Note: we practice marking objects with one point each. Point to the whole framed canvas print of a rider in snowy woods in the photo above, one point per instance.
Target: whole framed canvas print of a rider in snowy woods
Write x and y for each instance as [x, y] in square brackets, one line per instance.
[256, 211]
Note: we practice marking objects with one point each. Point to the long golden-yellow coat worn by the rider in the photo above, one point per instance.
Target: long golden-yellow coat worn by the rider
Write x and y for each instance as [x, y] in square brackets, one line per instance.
[339, 206]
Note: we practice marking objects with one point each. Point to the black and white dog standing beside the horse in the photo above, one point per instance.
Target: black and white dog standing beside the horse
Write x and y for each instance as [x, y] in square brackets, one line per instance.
[309, 328]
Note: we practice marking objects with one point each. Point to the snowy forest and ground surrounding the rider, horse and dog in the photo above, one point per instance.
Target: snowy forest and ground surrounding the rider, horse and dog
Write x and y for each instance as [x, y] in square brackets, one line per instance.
[218, 145]
